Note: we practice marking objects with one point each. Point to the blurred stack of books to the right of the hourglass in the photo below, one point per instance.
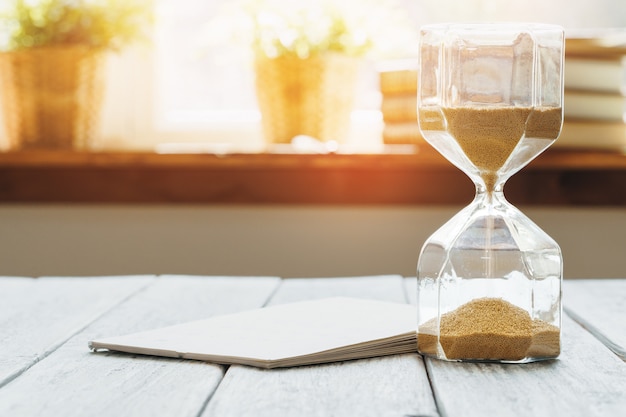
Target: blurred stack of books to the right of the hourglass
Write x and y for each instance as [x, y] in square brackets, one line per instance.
[595, 92]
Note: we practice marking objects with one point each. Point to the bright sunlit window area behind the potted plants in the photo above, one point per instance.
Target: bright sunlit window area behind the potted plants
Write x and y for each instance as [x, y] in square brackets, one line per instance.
[193, 79]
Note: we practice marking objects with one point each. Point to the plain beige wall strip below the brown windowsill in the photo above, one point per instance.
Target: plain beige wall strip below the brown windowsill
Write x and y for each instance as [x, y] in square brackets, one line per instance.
[285, 241]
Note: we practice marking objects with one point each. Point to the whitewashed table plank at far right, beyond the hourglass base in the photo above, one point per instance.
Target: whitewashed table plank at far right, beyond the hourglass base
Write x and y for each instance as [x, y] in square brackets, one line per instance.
[600, 307]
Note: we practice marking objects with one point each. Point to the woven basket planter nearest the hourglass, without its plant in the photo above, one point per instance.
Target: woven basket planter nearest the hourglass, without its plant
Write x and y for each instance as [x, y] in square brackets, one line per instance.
[312, 96]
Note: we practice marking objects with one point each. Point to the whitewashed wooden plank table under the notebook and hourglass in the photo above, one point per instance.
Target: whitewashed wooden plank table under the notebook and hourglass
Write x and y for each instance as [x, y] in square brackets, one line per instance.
[46, 368]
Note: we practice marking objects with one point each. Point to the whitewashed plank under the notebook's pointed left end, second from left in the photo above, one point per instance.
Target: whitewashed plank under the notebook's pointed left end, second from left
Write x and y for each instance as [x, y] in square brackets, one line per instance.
[72, 381]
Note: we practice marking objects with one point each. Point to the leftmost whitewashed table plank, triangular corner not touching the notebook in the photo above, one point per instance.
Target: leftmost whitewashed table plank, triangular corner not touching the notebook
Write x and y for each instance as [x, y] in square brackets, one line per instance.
[37, 315]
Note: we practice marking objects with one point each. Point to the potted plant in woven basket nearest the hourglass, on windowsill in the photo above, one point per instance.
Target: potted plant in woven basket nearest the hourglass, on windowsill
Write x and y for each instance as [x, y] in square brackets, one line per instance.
[307, 57]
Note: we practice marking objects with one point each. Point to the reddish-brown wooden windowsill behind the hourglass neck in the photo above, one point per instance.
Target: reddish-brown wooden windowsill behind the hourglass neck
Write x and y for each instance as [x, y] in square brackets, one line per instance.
[558, 177]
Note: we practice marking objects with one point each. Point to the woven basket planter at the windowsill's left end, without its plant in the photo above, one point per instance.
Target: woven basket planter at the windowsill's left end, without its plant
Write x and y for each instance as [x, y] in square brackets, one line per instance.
[51, 97]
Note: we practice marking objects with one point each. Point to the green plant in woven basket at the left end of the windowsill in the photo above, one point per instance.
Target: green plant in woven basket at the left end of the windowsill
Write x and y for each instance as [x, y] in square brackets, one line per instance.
[52, 67]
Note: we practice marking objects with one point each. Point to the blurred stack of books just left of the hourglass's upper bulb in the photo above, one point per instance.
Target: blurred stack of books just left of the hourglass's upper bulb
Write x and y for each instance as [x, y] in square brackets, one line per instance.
[398, 86]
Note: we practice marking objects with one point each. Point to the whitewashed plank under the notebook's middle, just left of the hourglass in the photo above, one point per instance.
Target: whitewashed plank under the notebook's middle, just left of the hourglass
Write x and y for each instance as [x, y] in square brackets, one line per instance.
[385, 386]
